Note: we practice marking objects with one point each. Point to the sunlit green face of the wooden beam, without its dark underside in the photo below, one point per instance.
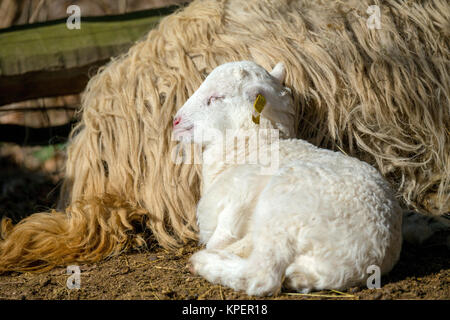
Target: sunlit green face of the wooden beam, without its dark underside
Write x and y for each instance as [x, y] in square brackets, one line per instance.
[56, 46]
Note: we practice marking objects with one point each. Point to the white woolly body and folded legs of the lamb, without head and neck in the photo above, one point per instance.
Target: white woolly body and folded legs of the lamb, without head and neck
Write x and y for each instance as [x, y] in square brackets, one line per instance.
[319, 221]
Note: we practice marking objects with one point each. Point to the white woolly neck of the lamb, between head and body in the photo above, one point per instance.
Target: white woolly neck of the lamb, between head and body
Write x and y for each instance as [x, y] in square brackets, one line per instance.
[237, 148]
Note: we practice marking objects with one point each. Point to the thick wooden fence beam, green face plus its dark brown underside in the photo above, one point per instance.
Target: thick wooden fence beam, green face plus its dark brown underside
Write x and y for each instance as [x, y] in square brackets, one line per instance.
[48, 59]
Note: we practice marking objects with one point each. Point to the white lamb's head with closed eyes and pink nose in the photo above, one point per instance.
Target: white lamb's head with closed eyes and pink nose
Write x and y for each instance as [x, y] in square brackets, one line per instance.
[225, 101]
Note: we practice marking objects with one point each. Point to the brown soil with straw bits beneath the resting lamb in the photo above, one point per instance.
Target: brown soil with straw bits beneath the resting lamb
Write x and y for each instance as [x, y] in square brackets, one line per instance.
[422, 273]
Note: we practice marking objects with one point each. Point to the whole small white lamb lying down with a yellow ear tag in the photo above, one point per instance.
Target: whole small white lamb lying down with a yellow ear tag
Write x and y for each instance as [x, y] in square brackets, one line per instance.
[318, 221]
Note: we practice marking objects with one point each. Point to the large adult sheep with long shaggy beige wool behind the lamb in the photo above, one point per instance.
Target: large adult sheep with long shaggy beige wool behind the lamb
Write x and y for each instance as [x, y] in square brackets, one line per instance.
[381, 95]
